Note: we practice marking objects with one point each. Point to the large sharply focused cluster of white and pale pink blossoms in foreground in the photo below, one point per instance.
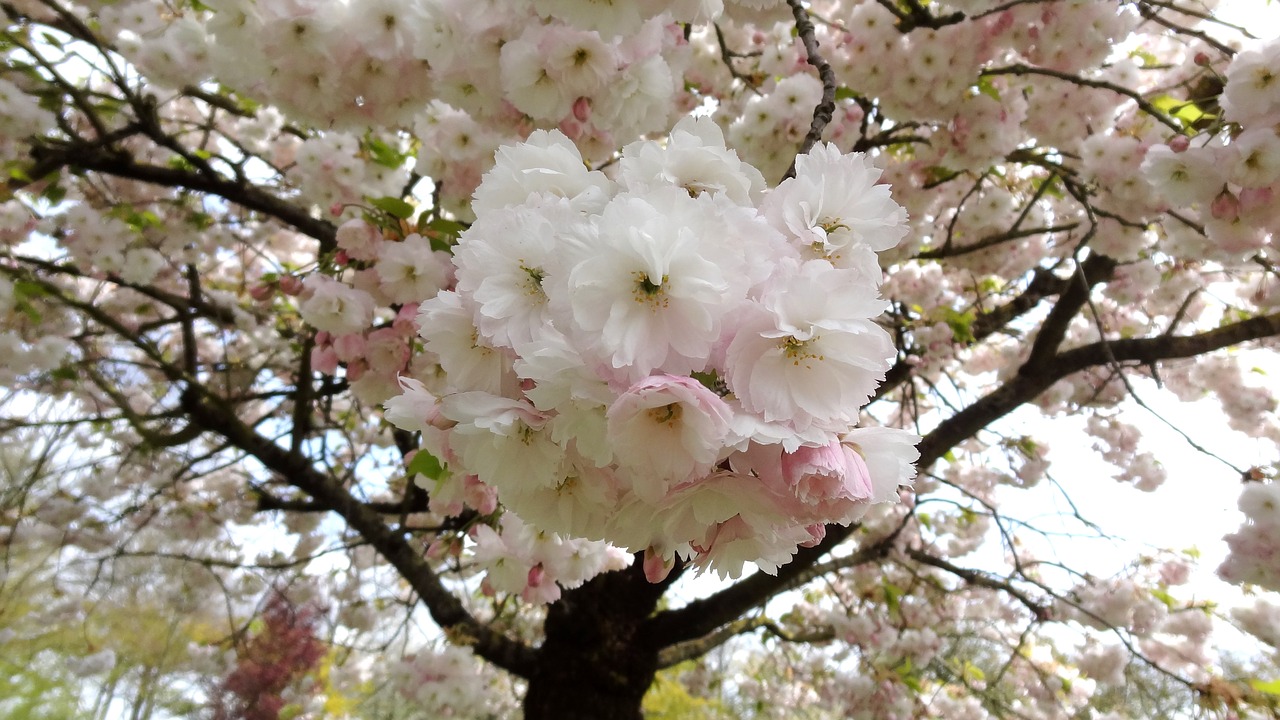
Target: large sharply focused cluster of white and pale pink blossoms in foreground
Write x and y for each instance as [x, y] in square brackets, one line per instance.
[671, 359]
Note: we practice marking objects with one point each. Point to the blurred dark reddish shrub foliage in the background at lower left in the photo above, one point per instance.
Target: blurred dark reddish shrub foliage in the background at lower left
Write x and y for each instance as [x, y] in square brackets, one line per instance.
[282, 653]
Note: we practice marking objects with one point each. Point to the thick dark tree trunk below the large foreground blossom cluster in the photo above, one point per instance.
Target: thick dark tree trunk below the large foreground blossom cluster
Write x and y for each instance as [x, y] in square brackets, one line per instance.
[593, 664]
